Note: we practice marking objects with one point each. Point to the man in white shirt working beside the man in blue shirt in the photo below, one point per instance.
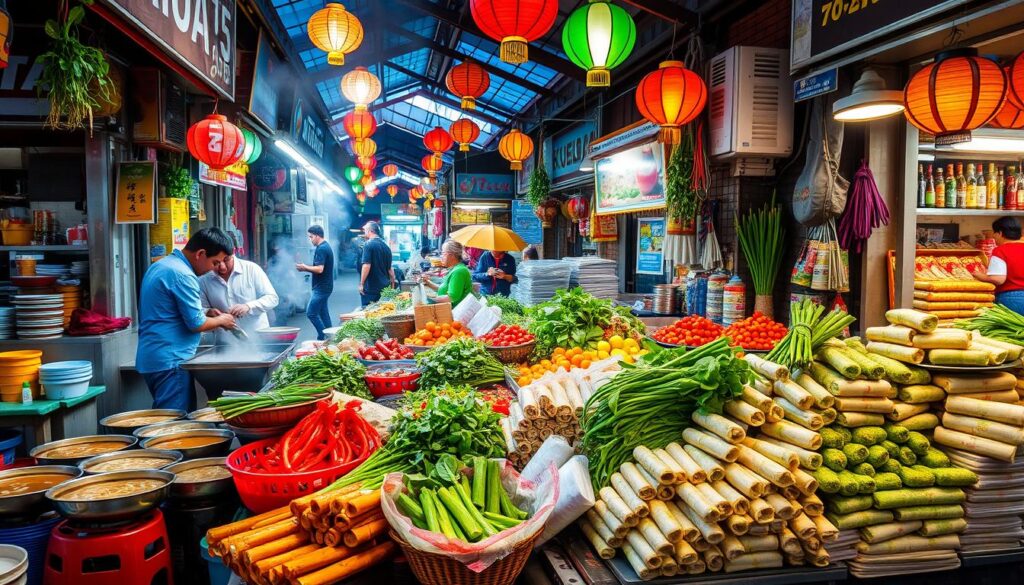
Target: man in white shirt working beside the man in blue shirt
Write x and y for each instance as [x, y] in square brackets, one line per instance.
[241, 288]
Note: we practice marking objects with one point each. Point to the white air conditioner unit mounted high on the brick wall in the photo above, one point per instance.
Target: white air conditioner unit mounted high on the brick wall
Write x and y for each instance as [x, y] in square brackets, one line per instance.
[751, 103]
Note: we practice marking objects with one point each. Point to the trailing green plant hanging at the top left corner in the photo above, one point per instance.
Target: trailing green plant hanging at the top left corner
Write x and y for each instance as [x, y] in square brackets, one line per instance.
[75, 77]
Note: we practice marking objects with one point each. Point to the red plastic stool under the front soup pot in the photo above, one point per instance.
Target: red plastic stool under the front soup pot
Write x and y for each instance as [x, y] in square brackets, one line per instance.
[137, 554]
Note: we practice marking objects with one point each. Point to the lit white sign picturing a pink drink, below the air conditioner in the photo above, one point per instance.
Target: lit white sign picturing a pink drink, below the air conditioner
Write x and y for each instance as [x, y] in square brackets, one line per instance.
[630, 181]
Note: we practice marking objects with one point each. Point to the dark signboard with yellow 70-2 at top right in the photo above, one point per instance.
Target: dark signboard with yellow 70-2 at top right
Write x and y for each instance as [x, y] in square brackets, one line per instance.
[824, 28]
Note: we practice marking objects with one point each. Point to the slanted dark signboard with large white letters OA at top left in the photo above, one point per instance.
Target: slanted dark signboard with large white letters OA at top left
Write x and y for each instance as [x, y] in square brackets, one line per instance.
[199, 35]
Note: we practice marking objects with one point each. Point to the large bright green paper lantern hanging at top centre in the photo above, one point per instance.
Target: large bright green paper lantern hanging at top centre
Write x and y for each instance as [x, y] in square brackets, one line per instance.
[599, 37]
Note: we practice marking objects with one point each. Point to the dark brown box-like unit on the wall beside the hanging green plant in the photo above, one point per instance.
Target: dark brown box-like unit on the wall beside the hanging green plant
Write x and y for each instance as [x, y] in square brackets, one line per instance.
[159, 111]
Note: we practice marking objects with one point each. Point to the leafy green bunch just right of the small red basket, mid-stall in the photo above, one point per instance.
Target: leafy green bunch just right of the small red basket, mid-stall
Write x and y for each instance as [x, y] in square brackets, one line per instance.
[462, 361]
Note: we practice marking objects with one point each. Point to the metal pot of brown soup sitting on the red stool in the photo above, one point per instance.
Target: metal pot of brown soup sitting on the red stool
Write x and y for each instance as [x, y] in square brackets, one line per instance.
[119, 495]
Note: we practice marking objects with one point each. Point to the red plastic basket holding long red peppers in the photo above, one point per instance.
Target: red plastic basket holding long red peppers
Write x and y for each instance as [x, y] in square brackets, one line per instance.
[262, 492]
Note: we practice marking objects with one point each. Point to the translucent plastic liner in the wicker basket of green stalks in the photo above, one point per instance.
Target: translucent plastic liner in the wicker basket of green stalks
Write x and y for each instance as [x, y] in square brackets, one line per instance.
[537, 499]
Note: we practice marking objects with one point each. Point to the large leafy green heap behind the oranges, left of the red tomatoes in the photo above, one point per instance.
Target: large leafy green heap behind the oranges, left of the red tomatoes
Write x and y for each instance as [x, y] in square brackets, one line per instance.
[577, 319]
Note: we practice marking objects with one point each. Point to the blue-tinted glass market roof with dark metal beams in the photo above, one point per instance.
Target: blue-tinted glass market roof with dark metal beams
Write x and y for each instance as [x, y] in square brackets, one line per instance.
[411, 46]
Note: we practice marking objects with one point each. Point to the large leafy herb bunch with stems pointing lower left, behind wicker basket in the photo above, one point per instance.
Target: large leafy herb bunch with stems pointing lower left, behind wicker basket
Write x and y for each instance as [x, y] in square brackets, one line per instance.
[447, 422]
